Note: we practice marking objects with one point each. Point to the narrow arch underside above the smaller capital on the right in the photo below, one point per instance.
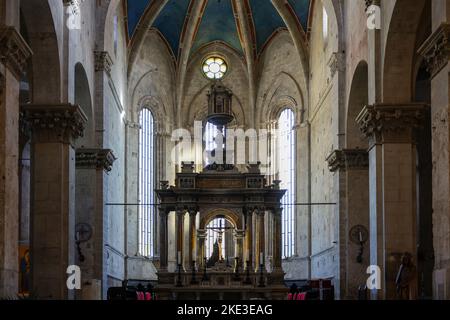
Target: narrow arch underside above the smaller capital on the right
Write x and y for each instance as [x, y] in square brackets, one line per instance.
[358, 99]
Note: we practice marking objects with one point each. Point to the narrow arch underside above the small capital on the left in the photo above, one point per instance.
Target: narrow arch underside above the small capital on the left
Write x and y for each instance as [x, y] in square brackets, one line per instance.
[83, 98]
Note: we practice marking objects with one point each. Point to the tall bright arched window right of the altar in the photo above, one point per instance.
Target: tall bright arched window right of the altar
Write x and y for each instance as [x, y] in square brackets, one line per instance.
[286, 171]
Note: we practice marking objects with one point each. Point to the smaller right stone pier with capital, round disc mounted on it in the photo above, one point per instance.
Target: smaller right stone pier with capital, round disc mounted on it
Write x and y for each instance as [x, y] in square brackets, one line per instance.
[352, 168]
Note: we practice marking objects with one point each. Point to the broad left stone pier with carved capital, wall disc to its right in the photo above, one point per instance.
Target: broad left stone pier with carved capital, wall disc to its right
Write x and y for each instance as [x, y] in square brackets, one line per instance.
[54, 129]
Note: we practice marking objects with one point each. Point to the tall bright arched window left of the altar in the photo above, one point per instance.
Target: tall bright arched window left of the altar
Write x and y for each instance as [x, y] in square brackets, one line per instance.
[146, 182]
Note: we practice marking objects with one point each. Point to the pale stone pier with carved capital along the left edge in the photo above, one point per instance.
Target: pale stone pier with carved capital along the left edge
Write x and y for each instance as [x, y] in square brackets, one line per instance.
[13, 56]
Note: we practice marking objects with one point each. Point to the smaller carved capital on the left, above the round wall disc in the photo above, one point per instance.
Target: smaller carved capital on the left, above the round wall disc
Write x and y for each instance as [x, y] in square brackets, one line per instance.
[102, 159]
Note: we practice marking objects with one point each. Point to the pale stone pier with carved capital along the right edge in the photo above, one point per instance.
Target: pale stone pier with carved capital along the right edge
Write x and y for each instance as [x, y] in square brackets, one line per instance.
[436, 52]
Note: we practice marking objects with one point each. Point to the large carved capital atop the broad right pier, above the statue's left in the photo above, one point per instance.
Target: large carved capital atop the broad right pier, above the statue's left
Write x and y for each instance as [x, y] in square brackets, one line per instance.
[391, 123]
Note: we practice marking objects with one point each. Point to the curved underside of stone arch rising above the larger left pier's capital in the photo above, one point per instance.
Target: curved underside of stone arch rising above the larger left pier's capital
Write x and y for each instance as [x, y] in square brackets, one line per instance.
[43, 40]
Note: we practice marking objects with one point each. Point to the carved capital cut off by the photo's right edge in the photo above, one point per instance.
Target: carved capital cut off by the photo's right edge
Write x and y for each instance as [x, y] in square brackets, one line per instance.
[436, 50]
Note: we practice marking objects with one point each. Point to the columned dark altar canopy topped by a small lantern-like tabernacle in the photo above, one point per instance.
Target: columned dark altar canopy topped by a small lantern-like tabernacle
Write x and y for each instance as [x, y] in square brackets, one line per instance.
[234, 228]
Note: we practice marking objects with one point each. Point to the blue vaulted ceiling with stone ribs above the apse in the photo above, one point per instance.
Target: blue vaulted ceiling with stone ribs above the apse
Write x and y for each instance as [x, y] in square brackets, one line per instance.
[219, 20]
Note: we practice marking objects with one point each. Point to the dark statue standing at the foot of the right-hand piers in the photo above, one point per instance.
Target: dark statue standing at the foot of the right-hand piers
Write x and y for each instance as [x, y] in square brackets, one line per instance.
[406, 279]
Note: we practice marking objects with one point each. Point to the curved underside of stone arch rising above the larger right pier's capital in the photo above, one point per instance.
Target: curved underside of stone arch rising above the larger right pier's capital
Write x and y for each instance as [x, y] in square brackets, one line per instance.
[399, 53]
